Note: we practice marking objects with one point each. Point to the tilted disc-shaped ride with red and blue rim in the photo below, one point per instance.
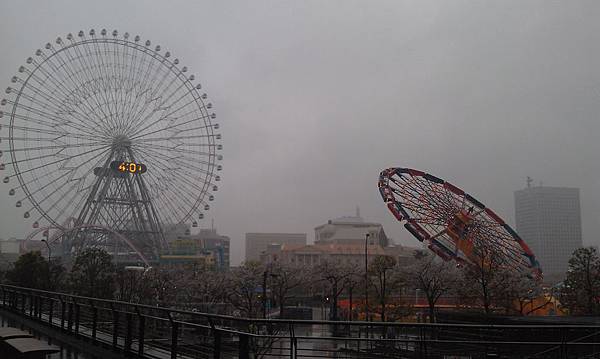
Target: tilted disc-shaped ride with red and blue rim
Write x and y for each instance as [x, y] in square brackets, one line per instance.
[453, 223]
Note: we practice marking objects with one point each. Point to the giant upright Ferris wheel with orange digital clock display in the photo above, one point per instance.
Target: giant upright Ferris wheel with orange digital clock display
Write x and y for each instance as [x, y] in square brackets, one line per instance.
[107, 131]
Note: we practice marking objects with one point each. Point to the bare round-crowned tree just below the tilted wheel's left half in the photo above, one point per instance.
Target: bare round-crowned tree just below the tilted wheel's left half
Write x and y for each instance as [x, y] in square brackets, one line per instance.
[434, 278]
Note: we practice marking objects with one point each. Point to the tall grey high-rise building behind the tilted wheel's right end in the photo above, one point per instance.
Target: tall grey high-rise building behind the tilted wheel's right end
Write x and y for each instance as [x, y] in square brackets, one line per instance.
[549, 221]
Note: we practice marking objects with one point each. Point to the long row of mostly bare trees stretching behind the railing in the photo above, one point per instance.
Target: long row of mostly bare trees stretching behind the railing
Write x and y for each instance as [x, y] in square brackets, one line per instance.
[392, 287]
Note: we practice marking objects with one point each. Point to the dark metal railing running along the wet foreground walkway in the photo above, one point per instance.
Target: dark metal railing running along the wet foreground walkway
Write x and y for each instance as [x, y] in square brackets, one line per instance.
[153, 332]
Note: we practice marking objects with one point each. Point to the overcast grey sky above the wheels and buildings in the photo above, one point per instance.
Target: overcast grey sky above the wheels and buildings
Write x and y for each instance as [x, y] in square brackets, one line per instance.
[314, 98]
